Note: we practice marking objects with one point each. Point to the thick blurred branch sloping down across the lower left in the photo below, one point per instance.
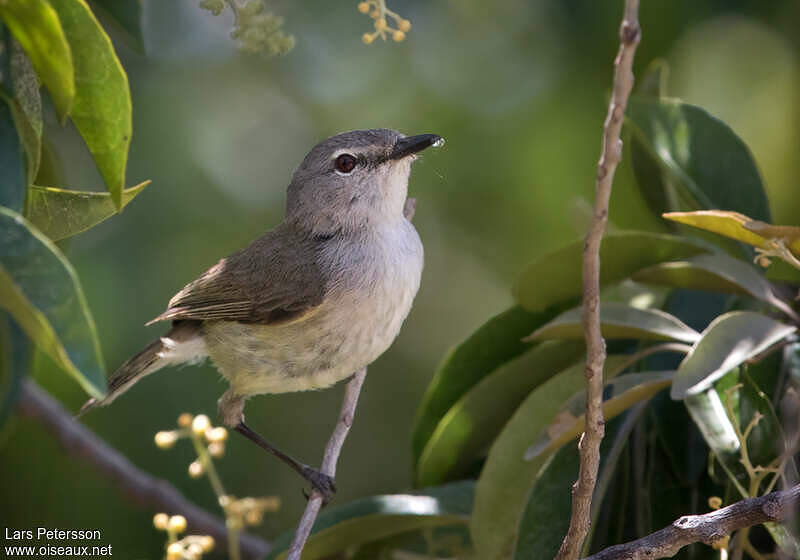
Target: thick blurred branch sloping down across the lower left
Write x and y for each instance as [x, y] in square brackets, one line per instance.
[137, 485]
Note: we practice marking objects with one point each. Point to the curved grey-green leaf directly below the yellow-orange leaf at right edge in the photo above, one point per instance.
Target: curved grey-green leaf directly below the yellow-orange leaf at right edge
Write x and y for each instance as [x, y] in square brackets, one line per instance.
[716, 273]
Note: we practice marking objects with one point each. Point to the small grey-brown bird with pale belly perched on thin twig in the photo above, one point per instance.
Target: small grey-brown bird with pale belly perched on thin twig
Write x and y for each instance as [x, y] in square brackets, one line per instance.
[314, 300]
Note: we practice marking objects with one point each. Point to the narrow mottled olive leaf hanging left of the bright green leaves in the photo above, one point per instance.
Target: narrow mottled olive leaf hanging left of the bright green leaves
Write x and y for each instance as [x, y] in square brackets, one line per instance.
[27, 108]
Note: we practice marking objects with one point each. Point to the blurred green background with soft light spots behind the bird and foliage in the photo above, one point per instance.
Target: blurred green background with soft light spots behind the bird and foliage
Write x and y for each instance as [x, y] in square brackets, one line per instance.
[518, 89]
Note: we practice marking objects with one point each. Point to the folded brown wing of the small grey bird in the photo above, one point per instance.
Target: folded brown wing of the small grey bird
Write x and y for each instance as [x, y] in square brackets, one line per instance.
[274, 280]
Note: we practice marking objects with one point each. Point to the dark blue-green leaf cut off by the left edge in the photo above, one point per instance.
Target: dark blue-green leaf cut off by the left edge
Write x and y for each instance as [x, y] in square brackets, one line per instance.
[12, 167]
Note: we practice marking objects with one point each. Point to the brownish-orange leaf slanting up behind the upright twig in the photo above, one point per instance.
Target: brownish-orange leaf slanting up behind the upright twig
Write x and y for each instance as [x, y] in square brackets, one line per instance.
[618, 396]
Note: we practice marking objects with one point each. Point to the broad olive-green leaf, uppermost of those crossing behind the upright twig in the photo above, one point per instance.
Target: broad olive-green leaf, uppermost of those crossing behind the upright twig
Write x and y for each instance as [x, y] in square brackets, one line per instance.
[556, 278]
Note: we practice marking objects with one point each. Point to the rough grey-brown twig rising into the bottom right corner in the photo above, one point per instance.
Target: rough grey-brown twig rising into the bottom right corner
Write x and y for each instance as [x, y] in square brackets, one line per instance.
[707, 528]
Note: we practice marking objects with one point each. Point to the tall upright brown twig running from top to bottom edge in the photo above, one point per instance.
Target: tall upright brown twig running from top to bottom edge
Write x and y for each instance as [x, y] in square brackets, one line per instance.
[589, 445]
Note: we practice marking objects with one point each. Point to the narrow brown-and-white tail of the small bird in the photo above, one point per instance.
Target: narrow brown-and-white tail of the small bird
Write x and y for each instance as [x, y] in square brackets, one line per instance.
[183, 343]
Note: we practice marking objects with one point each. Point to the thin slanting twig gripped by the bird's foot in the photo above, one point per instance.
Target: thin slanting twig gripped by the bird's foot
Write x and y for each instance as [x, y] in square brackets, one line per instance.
[332, 451]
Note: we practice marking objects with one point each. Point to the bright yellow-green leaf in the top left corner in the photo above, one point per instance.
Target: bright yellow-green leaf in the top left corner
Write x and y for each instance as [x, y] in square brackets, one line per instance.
[36, 26]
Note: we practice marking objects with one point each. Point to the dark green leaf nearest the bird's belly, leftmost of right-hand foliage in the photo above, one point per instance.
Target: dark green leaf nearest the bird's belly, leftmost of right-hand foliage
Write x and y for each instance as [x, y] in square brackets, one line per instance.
[493, 344]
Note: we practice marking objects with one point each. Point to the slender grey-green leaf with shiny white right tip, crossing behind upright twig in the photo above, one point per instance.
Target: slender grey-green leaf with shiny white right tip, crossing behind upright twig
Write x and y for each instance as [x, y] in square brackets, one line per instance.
[618, 320]
